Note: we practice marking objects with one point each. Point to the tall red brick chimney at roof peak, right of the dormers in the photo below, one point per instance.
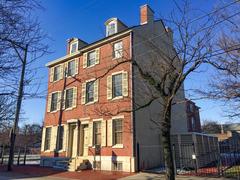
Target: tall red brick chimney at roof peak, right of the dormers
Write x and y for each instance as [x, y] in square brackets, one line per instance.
[146, 14]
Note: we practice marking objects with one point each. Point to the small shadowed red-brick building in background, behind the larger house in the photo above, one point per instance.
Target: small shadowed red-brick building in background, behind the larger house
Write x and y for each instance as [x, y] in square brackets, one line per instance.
[194, 124]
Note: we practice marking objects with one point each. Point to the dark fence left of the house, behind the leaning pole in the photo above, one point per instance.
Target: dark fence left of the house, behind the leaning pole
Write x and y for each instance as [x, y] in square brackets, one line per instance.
[22, 155]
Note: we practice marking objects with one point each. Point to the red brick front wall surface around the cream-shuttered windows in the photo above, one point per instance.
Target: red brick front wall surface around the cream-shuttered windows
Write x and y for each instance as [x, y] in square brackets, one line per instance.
[83, 111]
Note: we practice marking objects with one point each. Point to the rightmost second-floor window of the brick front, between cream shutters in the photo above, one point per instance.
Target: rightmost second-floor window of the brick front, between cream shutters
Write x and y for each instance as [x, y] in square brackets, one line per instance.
[117, 85]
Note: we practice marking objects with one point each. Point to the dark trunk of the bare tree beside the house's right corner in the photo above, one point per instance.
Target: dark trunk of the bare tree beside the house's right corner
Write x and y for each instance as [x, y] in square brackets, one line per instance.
[167, 150]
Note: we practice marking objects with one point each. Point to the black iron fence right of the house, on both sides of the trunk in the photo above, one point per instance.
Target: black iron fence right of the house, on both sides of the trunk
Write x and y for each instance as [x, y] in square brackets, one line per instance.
[195, 159]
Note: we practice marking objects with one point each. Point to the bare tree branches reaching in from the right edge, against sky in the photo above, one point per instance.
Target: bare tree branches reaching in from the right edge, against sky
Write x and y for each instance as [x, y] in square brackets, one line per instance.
[225, 85]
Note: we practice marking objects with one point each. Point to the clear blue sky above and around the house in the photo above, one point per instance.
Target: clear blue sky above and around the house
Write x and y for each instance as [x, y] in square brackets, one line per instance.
[85, 19]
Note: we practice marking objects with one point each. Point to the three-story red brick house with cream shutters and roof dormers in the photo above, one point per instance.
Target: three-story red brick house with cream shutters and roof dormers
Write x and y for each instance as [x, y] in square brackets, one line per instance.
[89, 119]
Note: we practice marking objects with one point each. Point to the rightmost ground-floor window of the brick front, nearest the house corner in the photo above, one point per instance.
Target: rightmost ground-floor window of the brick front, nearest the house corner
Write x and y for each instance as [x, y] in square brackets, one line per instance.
[117, 131]
